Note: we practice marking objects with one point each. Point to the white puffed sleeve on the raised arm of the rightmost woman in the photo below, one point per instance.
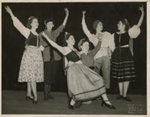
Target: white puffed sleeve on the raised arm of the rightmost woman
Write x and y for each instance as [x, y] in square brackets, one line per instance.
[134, 32]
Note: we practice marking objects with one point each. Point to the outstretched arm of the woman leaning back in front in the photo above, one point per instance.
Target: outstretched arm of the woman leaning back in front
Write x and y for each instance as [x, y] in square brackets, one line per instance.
[55, 45]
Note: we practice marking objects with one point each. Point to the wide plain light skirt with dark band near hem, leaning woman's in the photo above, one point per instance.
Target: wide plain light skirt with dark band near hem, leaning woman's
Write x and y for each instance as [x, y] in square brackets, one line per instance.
[83, 83]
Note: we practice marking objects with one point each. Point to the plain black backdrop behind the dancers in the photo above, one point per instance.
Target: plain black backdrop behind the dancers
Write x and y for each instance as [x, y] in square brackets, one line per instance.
[108, 13]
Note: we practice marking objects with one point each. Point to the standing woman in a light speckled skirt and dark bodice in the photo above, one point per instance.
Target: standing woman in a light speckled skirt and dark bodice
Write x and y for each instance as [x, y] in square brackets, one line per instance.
[31, 69]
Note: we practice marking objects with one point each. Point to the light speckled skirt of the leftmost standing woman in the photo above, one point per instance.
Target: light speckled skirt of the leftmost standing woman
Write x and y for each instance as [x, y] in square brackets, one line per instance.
[31, 69]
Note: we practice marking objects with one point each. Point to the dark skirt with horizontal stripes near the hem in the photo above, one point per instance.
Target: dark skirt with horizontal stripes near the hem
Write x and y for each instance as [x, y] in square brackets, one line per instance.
[123, 68]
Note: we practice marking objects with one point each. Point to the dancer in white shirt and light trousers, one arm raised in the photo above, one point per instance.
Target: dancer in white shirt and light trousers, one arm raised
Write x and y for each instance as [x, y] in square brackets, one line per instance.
[103, 56]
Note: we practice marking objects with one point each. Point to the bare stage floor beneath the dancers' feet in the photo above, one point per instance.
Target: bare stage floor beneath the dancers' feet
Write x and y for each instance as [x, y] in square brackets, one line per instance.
[13, 102]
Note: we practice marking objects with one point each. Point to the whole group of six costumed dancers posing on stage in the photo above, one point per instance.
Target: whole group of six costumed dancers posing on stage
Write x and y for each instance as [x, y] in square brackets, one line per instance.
[112, 54]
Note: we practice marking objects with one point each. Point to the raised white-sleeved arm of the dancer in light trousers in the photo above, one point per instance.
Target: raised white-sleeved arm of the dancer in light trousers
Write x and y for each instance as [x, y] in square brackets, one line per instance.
[84, 27]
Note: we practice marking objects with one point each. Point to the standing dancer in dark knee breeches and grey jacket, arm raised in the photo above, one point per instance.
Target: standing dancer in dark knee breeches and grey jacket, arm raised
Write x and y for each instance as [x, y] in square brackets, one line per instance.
[51, 56]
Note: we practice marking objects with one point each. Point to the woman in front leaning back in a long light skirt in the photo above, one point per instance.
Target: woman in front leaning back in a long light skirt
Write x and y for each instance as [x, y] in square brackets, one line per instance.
[83, 83]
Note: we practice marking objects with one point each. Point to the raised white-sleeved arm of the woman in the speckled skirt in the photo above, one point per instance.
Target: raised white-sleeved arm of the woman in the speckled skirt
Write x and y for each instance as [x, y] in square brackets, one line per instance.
[18, 25]
